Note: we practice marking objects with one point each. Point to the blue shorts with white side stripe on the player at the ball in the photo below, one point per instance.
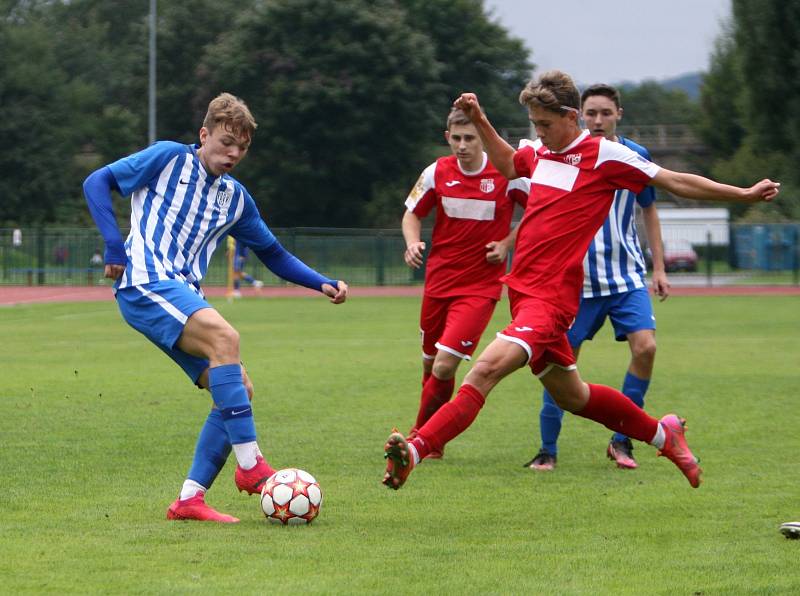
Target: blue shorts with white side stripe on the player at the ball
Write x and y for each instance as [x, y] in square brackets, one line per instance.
[159, 311]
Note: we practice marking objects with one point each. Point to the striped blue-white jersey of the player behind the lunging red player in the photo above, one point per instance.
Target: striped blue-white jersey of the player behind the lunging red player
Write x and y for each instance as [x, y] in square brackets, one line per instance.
[614, 263]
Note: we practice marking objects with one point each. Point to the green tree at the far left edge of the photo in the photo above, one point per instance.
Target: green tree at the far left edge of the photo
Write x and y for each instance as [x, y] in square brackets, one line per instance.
[38, 125]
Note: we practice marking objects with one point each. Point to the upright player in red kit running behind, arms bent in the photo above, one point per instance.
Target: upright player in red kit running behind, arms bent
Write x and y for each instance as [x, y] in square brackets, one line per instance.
[473, 205]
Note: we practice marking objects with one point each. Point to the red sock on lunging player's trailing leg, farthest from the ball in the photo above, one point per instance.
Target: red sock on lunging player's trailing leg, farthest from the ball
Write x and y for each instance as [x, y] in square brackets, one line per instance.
[612, 409]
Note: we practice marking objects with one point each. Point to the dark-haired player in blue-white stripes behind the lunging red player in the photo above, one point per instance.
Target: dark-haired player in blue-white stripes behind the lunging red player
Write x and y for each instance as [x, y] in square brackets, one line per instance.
[614, 286]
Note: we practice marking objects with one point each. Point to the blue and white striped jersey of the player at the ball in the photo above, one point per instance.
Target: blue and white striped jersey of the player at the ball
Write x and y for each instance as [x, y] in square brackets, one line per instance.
[180, 214]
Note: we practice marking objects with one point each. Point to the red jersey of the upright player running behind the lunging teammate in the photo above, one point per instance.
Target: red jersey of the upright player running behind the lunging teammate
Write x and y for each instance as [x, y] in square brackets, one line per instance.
[472, 209]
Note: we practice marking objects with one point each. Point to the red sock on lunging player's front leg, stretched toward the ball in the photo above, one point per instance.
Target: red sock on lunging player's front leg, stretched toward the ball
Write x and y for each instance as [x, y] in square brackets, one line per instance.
[451, 420]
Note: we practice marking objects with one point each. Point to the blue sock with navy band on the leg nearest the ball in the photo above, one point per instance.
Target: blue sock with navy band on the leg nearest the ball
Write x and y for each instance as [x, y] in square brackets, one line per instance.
[230, 396]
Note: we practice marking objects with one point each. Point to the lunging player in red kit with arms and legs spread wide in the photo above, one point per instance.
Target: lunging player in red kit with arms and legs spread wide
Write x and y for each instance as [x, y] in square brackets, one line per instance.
[574, 178]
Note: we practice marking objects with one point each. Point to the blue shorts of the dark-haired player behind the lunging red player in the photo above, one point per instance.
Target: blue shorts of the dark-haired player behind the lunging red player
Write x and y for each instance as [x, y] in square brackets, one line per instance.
[629, 312]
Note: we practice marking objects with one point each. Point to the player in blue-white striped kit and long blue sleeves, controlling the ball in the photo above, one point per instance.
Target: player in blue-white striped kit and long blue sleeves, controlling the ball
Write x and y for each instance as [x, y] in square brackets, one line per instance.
[184, 202]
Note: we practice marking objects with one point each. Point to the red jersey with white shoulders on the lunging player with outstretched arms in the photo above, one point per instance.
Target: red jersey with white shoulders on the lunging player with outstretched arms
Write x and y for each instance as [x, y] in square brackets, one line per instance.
[571, 194]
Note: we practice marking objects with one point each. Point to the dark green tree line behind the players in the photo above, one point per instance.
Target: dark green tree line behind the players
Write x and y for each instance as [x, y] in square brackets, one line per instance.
[350, 96]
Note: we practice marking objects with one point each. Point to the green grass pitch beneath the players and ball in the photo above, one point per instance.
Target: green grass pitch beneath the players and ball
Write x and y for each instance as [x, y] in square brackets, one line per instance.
[98, 429]
